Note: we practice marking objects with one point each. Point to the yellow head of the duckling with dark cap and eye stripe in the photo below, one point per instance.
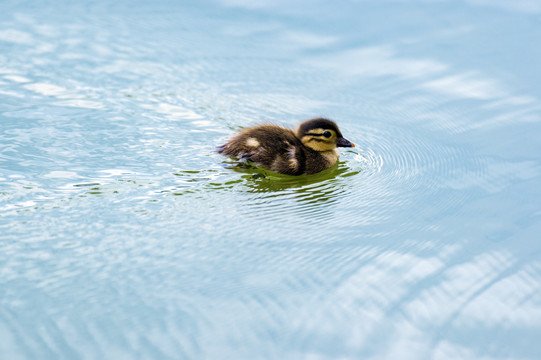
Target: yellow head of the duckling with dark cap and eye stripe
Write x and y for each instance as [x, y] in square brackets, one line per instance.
[321, 135]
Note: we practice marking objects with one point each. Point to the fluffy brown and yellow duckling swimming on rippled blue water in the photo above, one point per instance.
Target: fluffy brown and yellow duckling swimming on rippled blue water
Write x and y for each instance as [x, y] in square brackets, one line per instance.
[309, 149]
